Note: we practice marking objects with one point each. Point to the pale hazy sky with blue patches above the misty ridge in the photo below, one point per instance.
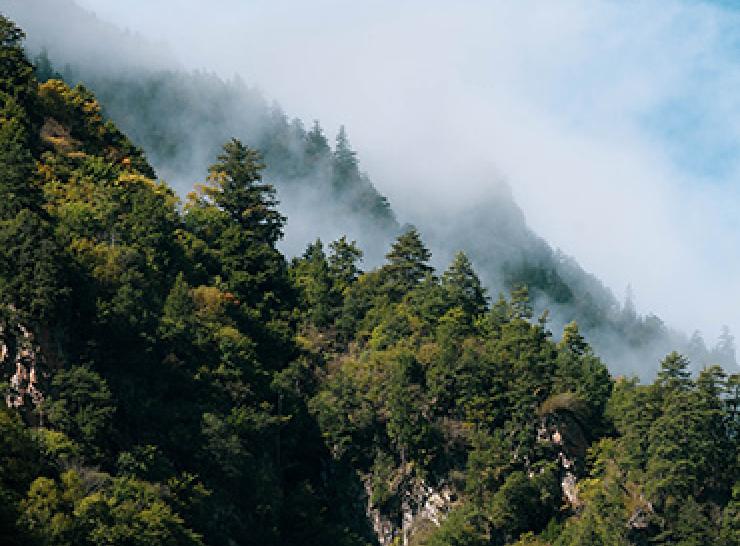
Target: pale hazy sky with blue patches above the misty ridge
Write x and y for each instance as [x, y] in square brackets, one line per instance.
[616, 124]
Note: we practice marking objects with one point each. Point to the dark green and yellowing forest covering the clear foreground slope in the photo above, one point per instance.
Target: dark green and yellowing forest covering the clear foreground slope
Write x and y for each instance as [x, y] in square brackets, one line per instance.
[171, 377]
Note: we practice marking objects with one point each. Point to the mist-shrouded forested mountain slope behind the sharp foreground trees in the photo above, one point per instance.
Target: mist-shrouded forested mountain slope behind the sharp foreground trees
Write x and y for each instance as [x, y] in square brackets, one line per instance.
[180, 118]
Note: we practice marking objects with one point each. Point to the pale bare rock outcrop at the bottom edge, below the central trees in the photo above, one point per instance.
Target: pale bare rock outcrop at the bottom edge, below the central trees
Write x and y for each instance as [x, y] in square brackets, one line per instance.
[421, 505]
